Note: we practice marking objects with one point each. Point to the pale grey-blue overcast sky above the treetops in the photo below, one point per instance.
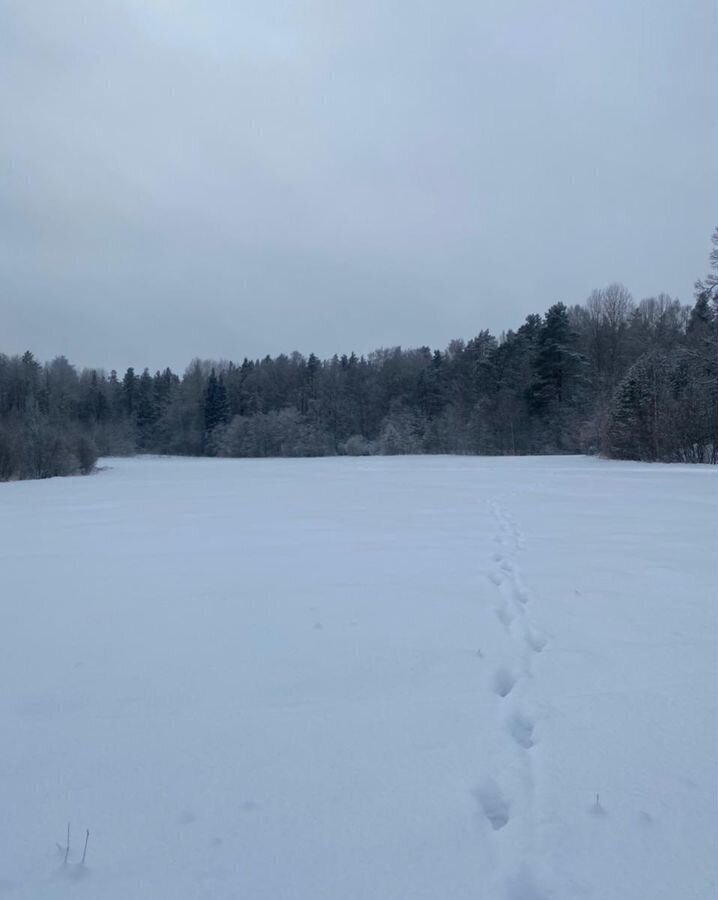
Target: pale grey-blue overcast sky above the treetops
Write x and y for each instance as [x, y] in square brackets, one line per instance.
[222, 179]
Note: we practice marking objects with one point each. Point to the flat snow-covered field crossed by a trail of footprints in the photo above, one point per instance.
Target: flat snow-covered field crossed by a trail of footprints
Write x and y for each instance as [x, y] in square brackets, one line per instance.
[360, 679]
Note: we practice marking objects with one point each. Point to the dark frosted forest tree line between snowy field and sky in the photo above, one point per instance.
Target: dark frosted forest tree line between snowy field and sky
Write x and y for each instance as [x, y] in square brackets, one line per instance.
[611, 376]
